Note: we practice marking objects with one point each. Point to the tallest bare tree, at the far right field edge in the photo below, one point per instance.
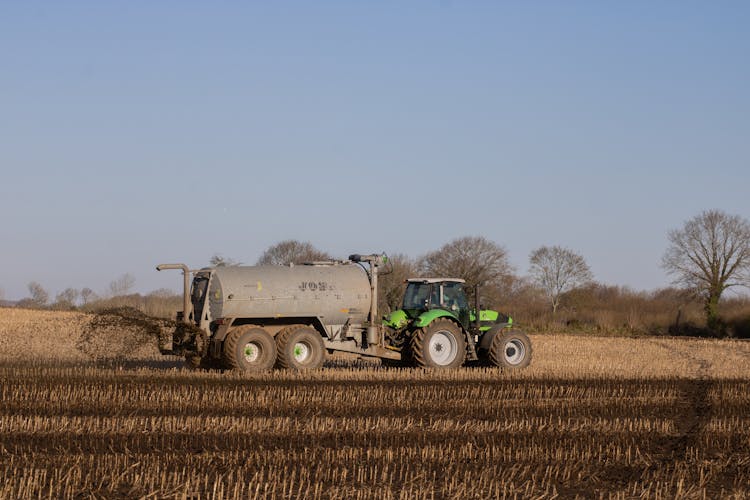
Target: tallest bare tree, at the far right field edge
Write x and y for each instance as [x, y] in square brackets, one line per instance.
[710, 253]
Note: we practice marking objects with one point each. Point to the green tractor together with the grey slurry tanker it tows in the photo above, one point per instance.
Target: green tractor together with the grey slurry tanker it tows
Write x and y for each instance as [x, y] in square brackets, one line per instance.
[253, 318]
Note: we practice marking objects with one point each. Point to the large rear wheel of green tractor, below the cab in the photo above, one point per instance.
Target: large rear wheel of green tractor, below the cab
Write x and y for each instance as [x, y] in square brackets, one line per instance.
[440, 345]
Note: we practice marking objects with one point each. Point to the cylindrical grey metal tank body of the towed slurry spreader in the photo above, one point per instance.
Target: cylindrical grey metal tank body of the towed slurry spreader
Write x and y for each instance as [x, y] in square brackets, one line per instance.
[333, 292]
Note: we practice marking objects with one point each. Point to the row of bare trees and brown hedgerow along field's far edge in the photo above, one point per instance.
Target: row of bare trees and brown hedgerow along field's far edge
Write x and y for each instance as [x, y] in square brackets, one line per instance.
[708, 255]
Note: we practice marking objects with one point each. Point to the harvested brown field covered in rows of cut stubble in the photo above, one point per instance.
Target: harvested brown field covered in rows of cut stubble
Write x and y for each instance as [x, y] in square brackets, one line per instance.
[612, 417]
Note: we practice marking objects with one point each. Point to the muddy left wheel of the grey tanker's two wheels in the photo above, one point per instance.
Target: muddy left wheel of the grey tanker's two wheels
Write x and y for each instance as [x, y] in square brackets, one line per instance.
[250, 349]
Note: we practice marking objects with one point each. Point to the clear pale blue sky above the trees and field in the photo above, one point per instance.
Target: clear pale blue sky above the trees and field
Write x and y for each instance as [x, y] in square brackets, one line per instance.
[134, 133]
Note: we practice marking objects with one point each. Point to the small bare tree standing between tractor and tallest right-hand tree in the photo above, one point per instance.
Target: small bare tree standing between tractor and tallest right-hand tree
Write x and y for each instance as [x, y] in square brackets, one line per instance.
[558, 270]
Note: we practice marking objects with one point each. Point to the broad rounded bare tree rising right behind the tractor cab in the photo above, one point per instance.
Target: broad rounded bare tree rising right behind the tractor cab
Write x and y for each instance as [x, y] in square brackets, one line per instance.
[473, 258]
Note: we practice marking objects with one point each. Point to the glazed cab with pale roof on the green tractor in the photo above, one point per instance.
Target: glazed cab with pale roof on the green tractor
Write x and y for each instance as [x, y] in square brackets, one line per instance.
[424, 294]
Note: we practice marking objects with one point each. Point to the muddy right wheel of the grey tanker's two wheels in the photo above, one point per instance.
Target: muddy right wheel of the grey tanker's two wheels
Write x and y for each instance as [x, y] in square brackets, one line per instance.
[300, 348]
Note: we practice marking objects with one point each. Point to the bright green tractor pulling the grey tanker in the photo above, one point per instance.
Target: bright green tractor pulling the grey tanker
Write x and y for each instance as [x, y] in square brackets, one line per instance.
[436, 328]
